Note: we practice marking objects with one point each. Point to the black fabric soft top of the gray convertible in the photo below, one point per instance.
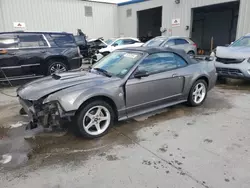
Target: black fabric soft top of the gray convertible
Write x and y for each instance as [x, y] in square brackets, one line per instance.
[152, 50]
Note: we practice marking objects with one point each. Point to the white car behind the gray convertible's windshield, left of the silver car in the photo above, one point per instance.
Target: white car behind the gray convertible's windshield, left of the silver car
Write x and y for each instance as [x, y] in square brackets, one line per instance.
[119, 43]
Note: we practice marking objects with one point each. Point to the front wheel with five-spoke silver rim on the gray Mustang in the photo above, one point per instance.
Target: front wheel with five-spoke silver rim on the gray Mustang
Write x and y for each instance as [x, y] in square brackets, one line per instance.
[94, 120]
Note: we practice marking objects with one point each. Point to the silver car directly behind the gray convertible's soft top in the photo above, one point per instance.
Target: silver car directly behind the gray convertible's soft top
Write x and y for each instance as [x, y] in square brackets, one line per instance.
[174, 42]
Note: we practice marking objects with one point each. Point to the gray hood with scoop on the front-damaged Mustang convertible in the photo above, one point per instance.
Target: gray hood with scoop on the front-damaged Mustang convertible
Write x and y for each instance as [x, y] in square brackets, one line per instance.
[51, 84]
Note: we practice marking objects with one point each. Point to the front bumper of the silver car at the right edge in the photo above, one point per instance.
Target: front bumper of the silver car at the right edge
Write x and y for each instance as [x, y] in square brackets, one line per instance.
[238, 70]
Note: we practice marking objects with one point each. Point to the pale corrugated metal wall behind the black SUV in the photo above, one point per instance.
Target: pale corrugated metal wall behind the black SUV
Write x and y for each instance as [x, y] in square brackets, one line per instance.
[60, 15]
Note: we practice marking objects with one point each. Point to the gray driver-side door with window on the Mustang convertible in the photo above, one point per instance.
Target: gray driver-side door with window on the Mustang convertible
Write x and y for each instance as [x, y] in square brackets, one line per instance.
[163, 85]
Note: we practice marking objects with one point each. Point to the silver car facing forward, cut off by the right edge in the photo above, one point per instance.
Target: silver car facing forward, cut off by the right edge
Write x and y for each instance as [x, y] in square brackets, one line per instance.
[234, 61]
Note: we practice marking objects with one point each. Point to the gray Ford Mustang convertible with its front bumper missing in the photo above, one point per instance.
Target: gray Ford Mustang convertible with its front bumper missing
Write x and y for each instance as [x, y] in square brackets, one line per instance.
[124, 84]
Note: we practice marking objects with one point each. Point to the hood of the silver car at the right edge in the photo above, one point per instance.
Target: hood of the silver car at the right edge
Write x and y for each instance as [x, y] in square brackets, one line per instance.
[233, 52]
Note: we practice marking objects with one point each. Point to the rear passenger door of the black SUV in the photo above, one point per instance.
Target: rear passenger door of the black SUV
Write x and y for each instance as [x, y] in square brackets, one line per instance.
[32, 52]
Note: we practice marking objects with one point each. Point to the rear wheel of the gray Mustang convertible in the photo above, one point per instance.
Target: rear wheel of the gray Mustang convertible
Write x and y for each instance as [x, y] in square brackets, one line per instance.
[198, 93]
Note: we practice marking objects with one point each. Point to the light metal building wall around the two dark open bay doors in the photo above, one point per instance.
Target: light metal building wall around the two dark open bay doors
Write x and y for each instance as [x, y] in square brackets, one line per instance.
[128, 25]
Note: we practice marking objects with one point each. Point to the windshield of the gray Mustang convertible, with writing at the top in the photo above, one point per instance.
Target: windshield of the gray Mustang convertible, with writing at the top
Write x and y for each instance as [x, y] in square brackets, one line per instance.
[118, 63]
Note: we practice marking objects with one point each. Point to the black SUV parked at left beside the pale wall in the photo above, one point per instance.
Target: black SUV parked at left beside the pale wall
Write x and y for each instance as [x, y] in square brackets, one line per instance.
[25, 55]
